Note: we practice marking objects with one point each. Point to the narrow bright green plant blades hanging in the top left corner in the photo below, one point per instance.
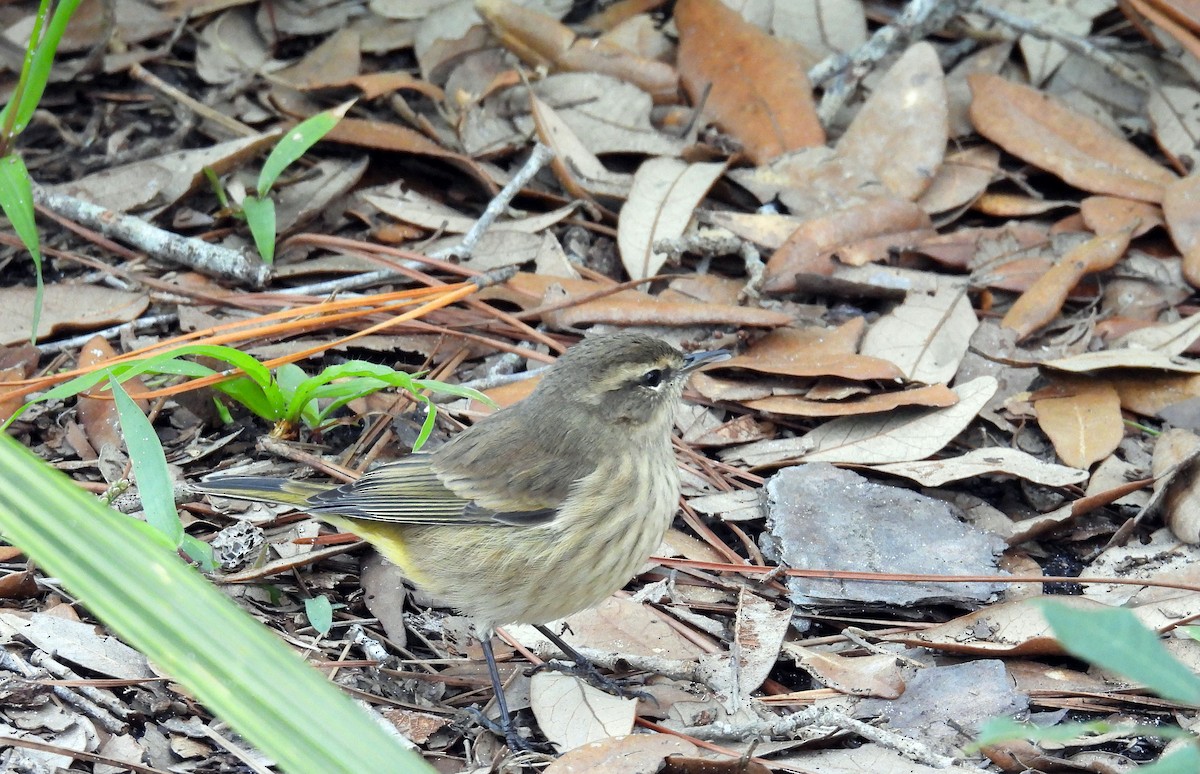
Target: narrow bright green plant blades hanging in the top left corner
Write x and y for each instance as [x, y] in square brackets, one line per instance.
[16, 187]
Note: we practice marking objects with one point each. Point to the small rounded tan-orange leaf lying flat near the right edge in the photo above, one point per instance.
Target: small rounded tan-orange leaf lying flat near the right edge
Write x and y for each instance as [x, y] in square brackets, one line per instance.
[1082, 418]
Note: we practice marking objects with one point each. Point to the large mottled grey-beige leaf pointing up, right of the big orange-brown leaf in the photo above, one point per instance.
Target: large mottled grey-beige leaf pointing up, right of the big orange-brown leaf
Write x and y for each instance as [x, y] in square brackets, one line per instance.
[902, 131]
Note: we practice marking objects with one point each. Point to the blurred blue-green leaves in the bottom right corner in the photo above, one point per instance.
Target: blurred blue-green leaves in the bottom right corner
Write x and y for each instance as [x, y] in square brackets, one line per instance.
[1114, 640]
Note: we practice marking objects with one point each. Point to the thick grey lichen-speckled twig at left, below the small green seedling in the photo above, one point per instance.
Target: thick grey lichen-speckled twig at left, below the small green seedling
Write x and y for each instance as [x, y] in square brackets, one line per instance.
[212, 260]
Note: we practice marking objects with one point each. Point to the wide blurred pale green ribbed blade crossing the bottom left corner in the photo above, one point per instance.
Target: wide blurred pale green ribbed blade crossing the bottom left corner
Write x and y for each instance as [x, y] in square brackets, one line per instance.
[170, 613]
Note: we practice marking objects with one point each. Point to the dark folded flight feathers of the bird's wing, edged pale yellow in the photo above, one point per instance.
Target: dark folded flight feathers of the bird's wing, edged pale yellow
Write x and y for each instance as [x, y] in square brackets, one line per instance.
[411, 493]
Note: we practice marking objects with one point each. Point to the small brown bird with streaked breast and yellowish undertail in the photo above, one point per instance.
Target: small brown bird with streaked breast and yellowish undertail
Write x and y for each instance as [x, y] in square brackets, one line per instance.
[535, 513]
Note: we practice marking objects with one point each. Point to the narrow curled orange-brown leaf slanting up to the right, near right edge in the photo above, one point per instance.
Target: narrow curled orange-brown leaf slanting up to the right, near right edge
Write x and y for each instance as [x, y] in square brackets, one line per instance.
[1043, 302]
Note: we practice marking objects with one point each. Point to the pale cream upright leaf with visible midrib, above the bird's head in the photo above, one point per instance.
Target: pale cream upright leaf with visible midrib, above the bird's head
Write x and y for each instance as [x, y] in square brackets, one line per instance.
[662, 202]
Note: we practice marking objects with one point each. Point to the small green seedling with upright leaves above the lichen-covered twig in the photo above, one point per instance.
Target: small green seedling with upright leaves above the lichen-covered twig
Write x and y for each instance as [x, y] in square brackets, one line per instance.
[259, 209]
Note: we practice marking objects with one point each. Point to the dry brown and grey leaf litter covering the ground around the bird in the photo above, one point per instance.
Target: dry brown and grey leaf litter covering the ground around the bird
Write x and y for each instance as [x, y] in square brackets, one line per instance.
[977, 303]
